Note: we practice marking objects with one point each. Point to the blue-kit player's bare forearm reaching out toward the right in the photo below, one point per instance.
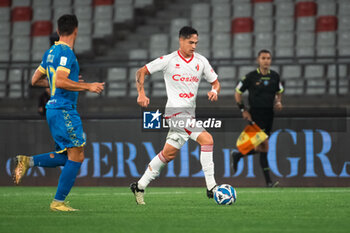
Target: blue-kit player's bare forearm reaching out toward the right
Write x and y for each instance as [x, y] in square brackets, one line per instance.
[62, 81]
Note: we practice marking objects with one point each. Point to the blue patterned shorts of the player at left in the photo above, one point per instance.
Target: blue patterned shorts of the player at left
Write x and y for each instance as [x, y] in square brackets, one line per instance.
[66, 128]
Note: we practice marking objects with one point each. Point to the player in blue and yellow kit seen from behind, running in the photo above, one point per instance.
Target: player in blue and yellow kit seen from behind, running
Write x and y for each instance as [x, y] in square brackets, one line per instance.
[59, 70]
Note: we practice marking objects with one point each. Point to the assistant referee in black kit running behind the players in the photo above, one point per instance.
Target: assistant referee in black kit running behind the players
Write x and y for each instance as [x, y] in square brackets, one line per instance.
[265, 94]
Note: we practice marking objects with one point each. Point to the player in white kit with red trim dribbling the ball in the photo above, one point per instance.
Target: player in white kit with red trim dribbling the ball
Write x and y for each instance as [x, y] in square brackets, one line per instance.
[183, 70]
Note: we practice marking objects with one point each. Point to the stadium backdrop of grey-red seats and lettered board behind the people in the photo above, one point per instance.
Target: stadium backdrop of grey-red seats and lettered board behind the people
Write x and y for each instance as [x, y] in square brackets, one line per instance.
[310, 43]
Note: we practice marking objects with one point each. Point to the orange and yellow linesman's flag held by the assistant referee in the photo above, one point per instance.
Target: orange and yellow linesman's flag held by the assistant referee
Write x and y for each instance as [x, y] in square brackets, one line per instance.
[251, 137]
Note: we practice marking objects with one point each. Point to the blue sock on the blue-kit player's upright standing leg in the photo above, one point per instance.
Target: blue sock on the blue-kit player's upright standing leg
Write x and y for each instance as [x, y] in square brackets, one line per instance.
[67, 179]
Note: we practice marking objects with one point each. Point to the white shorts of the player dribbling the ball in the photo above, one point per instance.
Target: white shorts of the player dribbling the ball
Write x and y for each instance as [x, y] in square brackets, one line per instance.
[178, 136]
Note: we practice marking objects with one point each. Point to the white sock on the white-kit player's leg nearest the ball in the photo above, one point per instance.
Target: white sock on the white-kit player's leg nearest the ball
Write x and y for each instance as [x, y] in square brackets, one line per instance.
[208, 165]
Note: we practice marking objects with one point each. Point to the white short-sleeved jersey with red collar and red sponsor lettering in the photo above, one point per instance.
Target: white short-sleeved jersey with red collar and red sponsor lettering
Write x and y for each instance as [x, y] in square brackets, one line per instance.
[182, 77]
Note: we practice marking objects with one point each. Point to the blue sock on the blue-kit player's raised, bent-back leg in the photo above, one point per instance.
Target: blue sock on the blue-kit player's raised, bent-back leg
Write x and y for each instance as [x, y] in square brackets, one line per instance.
[51, 159]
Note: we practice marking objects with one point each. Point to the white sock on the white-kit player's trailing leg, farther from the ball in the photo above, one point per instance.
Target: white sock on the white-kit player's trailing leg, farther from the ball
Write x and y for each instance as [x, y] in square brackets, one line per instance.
[152, 171]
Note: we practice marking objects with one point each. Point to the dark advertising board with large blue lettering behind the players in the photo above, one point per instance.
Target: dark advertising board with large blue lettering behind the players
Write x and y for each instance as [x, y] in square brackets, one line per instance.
[303, 152]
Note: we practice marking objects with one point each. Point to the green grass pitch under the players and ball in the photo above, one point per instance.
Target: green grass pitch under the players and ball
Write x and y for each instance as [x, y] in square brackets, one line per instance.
[180, 210]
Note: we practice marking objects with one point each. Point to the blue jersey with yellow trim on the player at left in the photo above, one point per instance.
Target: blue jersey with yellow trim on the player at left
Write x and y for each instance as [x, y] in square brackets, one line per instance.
[60, 57]
